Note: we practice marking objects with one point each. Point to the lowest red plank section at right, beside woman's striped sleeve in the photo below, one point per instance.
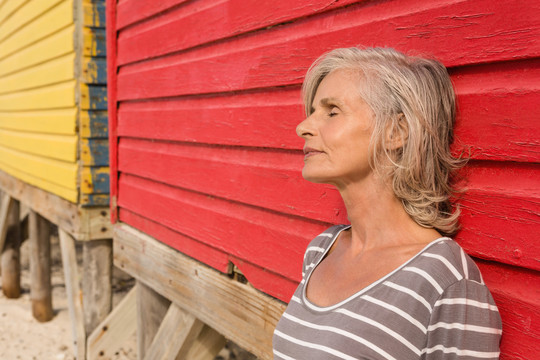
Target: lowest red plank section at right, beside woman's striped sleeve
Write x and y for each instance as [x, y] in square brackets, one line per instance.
[517, 294]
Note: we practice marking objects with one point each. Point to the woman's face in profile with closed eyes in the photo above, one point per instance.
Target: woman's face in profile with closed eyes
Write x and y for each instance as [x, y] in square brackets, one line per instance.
[337, 133]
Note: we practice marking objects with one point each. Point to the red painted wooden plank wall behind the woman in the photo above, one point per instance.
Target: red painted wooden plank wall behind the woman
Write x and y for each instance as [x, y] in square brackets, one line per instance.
[205, 156]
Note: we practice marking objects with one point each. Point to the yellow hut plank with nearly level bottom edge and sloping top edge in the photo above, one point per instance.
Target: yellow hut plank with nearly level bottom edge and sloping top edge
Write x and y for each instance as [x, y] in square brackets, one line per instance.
[55, 96]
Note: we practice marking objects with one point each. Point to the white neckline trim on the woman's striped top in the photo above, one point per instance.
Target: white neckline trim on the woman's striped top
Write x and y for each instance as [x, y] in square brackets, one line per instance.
[318, 308]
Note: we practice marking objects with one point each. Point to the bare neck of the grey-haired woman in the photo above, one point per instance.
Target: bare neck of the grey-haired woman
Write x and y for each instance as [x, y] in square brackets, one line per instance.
[378, 218]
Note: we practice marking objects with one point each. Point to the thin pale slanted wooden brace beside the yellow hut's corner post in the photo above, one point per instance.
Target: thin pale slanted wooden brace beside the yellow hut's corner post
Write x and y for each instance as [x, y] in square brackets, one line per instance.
[71, 275]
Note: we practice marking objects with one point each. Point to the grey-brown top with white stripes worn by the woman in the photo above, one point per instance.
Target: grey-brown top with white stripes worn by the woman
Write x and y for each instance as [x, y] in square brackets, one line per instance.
[435, 306]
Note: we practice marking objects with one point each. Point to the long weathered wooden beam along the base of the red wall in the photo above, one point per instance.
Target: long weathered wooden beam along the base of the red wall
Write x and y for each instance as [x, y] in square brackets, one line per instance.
[245, 315]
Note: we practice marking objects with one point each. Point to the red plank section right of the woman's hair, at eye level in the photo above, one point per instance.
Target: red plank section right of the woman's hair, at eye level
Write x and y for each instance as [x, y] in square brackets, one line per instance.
[498, 110]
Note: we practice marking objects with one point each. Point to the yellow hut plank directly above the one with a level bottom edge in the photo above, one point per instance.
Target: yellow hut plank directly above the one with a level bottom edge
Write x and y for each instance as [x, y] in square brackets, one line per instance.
[50, 72]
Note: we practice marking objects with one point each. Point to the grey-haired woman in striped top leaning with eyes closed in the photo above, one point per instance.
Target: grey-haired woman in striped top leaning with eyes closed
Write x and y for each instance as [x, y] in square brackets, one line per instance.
[391, 285]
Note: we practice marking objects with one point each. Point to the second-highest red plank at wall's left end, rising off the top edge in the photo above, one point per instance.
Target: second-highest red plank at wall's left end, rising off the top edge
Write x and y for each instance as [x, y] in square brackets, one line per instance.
[190, 24]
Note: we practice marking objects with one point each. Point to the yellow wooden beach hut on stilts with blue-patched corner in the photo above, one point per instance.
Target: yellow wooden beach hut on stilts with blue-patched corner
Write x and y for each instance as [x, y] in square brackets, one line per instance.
[54, 145]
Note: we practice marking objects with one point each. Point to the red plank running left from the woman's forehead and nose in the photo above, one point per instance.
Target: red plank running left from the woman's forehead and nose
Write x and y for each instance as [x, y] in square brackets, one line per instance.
[261, 119]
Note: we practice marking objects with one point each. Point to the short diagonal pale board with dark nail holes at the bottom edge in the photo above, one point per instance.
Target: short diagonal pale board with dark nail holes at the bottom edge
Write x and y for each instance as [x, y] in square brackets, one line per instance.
[117, 327]
